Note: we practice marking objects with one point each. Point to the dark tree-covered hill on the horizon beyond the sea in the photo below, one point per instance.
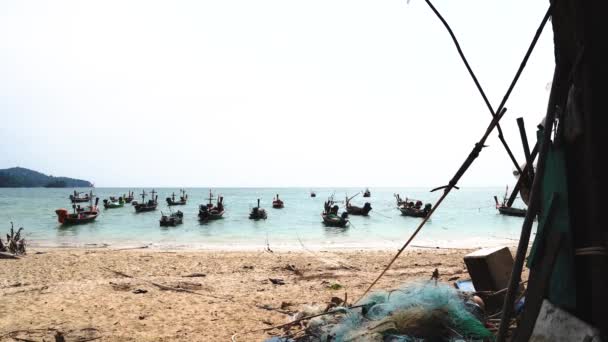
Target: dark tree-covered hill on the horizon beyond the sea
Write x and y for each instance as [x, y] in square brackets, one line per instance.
[18, 177]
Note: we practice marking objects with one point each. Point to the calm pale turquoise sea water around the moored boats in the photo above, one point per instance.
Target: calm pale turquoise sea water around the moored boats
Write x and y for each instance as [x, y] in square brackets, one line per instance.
[467, 218]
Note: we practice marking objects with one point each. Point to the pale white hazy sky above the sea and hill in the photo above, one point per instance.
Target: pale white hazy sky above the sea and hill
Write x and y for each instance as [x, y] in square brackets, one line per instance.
[266, 93]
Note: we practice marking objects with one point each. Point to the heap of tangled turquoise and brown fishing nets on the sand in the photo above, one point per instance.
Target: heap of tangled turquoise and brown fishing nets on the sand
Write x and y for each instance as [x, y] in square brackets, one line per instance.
[421, 311]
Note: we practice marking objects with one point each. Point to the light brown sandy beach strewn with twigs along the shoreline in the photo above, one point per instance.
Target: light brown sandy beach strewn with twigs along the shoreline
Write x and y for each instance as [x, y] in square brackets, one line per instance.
[123, 295]
